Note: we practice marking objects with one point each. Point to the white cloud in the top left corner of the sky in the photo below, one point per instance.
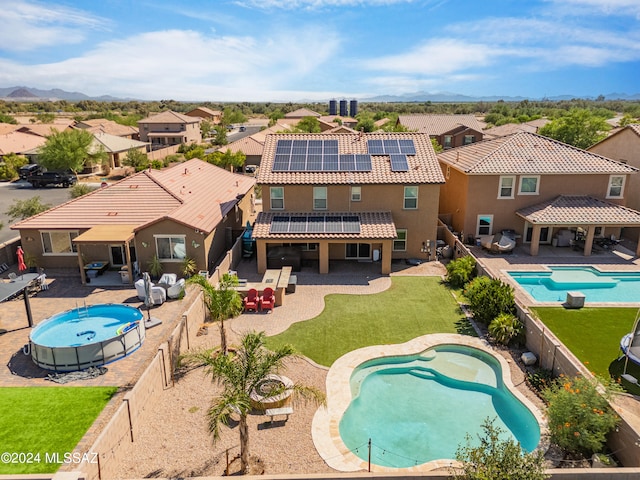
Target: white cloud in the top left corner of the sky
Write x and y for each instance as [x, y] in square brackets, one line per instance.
[30, 25]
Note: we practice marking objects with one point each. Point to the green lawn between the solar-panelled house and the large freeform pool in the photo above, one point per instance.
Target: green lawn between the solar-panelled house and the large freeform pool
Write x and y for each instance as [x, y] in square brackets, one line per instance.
[412, 307]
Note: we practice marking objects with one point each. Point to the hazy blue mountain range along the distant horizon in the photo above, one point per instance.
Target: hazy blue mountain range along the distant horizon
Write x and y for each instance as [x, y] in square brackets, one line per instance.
[22, 93]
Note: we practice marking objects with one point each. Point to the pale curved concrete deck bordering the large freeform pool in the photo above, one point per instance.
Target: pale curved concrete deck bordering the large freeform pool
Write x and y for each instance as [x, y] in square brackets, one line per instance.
[326, 422]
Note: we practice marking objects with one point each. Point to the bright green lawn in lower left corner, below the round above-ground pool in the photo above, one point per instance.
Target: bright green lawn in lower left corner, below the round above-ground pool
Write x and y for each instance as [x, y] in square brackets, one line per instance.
[45, 420]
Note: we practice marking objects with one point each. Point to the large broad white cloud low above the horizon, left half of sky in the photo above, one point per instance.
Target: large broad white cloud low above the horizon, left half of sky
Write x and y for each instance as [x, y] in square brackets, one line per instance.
[187, 65]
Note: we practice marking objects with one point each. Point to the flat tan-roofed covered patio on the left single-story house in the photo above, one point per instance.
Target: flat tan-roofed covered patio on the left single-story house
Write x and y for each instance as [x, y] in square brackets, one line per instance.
[94, 245]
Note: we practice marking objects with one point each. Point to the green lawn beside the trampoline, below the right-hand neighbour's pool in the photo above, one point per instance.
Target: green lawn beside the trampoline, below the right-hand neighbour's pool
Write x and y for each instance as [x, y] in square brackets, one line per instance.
[592, 334]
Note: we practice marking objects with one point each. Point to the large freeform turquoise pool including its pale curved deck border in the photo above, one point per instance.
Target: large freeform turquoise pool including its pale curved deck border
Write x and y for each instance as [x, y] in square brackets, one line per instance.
[417, 408]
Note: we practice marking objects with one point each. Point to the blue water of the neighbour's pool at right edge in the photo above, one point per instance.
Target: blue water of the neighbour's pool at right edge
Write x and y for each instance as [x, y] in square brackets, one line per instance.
[552, 286]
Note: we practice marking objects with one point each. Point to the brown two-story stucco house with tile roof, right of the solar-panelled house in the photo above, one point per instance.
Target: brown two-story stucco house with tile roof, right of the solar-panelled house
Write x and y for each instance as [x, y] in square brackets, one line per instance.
[535, 186]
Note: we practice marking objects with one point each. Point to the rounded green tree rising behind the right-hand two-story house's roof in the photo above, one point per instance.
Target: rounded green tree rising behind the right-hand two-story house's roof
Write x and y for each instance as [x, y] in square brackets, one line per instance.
[579, 128]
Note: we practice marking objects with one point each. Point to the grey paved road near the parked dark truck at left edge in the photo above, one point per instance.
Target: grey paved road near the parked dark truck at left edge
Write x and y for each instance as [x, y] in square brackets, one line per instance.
[9, 192]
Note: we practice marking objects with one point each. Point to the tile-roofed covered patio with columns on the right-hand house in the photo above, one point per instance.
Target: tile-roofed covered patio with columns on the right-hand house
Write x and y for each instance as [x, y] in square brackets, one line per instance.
[589, 214]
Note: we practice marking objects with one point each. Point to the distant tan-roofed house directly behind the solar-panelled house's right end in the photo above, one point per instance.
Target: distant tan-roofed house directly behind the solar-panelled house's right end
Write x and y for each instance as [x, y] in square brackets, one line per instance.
[450, 131]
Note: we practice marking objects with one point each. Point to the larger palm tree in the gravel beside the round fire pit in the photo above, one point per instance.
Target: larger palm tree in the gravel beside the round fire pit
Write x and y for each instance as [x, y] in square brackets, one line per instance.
[239, 374]
